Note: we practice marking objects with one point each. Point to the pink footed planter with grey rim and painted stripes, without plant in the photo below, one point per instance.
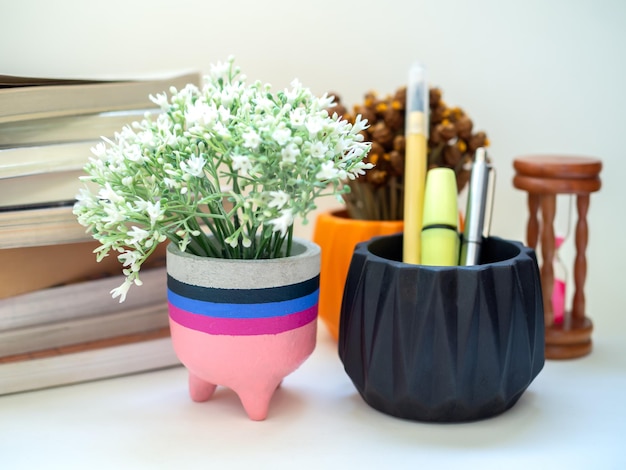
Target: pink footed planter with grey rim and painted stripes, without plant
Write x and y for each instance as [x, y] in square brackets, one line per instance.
[243, 324]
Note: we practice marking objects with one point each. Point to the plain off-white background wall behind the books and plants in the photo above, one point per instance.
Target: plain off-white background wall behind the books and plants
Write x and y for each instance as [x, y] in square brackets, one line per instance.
[538, 75]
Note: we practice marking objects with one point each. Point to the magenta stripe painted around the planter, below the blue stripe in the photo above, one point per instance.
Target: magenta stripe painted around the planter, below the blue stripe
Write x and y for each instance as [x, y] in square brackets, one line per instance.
[242, 326]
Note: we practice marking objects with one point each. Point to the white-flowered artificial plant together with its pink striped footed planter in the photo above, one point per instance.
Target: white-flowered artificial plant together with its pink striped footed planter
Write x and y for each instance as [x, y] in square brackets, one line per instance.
[222, 173]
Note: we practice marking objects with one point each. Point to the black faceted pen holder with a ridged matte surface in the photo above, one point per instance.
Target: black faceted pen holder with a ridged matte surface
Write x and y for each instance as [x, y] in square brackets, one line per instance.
[442, 344]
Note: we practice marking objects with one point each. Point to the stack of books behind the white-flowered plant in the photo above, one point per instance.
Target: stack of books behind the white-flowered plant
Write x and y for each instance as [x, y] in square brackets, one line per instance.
[58, 322]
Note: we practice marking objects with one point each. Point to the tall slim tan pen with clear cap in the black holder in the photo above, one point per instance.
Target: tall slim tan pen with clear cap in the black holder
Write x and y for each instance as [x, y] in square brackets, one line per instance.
[416, 135]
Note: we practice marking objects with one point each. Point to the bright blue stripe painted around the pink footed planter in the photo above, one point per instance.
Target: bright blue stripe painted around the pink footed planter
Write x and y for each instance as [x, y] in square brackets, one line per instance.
[243, 310]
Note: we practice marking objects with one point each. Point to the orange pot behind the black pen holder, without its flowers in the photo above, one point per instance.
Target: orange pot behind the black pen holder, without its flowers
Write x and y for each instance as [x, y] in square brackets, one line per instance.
[337, 235]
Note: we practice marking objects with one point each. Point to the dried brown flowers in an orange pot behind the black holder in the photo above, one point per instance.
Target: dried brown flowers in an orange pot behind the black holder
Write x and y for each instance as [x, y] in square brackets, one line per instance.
[375, 204]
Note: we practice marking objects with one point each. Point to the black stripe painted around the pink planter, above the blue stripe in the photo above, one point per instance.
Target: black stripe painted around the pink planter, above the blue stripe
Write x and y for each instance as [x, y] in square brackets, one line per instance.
[244, 296]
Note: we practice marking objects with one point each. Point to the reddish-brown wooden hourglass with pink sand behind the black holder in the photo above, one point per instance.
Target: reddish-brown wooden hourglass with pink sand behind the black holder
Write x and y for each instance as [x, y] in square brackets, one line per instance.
[543, 177]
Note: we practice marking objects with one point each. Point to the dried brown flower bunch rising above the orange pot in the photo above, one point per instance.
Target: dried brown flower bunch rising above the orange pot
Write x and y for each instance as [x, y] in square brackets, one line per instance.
[451, 144]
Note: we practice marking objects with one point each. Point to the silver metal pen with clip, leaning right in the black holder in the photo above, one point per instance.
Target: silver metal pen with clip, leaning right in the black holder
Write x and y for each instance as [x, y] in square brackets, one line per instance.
[477, 210]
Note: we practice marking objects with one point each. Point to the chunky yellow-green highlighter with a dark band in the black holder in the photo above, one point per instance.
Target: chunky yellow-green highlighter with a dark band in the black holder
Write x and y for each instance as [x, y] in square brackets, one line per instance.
[440, 236]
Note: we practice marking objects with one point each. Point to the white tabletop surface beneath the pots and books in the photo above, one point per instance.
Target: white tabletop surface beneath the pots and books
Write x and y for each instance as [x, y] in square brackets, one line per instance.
[573, 416]
